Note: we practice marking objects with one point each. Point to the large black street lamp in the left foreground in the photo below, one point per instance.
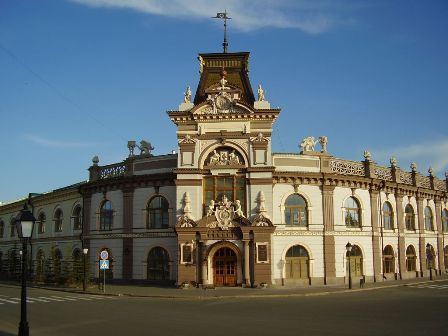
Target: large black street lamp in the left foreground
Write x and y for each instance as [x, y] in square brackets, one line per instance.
[24, 224]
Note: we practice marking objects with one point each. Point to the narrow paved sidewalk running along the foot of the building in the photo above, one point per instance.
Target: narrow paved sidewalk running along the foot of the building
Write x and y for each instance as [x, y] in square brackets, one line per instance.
[233, 292]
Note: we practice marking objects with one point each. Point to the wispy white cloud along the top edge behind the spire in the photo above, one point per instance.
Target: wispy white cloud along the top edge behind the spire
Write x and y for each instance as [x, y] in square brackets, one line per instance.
[312, 17]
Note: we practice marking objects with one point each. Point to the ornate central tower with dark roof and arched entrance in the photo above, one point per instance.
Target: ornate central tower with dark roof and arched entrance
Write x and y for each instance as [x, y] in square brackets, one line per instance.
[224, 173]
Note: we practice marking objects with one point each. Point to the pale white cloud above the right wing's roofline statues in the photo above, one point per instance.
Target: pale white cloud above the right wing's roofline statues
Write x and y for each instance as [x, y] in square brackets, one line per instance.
[426, 154]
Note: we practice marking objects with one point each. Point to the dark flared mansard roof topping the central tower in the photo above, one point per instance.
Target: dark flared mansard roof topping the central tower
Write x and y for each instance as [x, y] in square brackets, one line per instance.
[236, 66]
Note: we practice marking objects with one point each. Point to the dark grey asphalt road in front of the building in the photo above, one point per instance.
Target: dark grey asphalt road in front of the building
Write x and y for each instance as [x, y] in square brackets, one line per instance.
[395, 311]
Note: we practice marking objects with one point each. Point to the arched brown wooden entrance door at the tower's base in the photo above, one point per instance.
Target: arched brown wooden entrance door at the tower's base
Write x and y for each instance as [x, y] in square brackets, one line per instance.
[224, 262]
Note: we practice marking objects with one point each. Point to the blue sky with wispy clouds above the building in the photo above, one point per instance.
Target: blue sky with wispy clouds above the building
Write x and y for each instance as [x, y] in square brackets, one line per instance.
[81, 77]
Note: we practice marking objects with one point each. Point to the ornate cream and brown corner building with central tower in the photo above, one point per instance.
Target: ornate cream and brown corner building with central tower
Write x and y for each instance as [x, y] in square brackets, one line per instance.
[227, 211]
